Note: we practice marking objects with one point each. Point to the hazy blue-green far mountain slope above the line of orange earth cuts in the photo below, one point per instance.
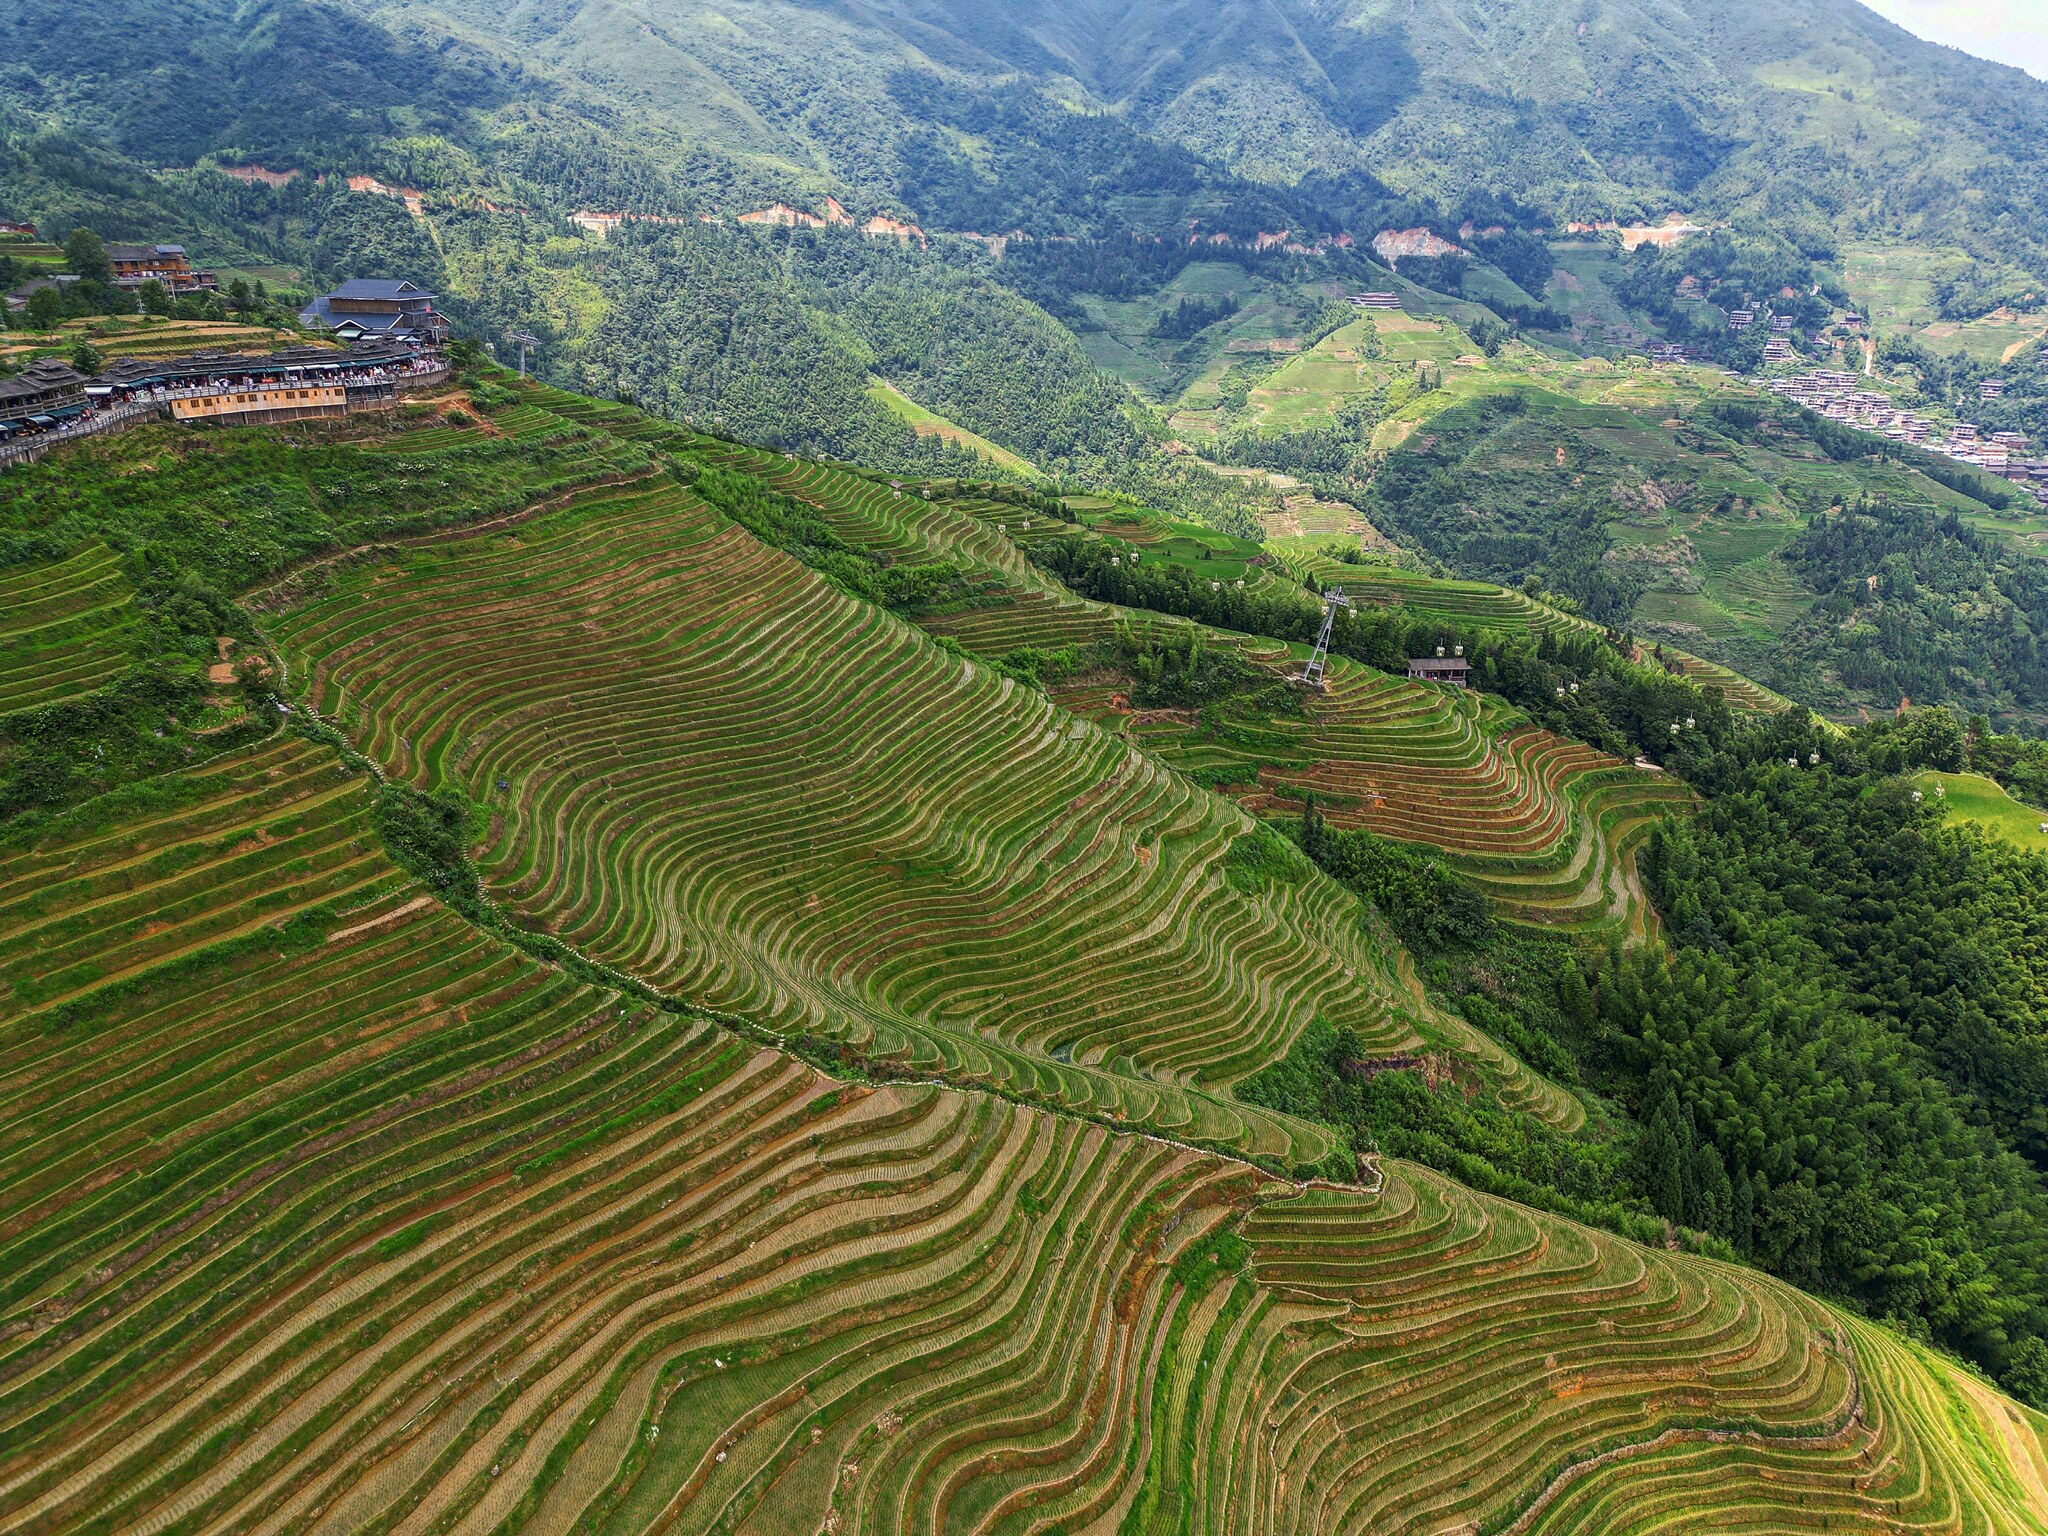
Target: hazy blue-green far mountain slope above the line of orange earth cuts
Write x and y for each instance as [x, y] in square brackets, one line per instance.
[1816, 118]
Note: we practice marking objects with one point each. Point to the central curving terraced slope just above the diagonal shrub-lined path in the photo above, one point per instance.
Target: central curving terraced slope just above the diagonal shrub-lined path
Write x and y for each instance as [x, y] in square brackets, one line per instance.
[712, 769]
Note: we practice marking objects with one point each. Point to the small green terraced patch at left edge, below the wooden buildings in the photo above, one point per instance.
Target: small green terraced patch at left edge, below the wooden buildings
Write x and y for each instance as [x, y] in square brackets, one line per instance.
[67, 628]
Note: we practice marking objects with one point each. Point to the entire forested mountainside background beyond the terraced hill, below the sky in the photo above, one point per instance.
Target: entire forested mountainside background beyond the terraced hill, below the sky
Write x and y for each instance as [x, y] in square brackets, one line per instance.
[1115, 343]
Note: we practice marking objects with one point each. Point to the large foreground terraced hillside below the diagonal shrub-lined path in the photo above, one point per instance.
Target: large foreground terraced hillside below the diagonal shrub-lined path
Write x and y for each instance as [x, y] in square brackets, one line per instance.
[329, 1213]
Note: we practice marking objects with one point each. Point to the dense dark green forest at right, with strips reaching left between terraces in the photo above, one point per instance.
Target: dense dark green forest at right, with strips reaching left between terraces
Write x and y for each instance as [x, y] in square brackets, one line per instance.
[1834, 1070]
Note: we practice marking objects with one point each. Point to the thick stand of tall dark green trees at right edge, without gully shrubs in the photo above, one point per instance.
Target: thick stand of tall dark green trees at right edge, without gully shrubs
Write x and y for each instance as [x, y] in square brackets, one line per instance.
[1850, 1019]
